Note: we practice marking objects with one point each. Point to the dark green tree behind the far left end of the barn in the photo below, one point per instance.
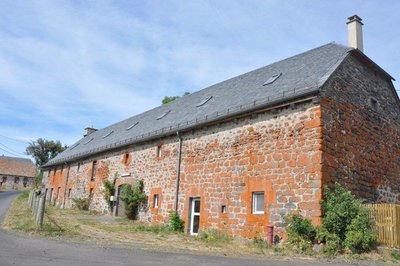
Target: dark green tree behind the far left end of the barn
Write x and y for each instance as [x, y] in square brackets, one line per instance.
[43, 150]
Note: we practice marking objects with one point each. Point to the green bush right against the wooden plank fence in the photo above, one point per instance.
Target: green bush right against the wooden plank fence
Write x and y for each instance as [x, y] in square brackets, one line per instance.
[359, 237]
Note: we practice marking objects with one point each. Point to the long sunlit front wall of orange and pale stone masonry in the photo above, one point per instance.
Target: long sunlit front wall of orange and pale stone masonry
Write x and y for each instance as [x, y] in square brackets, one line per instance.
[276, 152]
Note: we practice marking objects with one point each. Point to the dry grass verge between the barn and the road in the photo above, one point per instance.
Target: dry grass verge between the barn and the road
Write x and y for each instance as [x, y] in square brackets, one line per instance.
[84, 226]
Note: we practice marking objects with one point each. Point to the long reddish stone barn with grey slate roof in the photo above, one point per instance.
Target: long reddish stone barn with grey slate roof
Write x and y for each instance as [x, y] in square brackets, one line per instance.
[238, 155]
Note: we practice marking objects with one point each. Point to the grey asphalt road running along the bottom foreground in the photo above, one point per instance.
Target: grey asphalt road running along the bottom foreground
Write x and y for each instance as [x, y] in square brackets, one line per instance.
[16, 249]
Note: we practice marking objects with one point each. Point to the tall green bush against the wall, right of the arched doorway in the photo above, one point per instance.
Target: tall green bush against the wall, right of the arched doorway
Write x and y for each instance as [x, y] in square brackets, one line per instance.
[133, 198]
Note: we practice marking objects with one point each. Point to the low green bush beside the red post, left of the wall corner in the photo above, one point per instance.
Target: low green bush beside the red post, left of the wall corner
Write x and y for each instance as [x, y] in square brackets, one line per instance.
[301, 233]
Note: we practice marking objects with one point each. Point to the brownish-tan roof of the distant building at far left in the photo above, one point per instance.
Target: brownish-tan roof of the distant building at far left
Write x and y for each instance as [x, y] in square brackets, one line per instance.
[13, 166]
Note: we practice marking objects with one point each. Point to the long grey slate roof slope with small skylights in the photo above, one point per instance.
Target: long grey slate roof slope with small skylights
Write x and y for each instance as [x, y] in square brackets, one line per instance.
[300, 75]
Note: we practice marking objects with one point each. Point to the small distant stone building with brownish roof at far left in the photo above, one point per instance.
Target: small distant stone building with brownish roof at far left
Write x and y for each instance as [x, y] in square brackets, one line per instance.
[16, 173]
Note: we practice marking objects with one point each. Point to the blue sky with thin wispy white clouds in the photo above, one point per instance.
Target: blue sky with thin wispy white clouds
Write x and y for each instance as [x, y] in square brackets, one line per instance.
[65, 65]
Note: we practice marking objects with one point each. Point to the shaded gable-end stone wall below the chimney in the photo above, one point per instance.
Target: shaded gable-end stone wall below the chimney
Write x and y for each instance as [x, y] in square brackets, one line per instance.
[361, 133]
